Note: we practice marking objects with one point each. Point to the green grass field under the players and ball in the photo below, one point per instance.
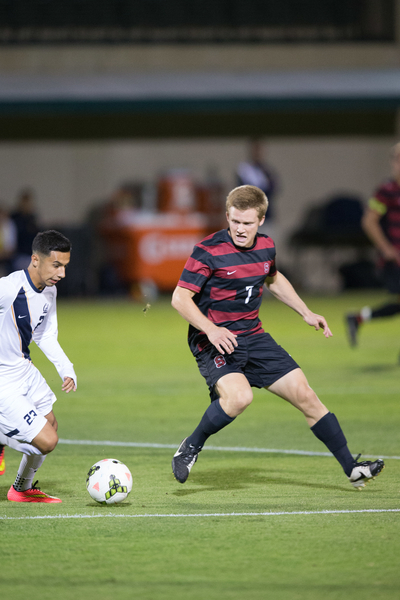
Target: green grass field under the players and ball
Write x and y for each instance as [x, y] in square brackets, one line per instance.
[247, 524]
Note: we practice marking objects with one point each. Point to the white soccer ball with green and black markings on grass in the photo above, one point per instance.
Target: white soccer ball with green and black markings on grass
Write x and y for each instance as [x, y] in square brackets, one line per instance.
[109, 481]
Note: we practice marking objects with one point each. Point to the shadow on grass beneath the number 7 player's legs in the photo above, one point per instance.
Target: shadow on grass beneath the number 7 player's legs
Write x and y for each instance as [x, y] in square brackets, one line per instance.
[241, 478]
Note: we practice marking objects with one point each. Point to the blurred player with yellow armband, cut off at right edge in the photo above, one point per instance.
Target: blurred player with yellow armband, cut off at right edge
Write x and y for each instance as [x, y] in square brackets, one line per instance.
[381, 223]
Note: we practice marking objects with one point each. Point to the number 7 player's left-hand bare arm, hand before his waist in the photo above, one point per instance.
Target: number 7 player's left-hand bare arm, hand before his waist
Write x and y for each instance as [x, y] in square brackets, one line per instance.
[223, 339]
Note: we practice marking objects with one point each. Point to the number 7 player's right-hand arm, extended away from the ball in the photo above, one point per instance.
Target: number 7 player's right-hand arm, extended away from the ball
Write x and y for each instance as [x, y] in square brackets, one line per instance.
[283, 290]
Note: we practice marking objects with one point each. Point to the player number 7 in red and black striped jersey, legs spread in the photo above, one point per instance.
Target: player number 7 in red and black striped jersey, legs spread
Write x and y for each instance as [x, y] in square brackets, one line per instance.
[219, 294]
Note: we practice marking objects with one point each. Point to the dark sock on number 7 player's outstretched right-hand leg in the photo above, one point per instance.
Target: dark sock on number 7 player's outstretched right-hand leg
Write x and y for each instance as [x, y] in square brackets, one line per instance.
[328, 431]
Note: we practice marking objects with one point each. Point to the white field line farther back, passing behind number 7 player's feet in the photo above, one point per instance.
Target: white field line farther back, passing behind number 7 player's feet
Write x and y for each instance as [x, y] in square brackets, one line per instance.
[216, 448]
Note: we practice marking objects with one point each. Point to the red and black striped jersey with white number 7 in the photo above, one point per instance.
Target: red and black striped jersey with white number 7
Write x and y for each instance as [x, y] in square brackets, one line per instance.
[228, 283]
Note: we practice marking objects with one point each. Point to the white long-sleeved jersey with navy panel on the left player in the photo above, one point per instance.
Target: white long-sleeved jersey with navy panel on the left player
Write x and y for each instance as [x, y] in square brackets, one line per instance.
[26, 314]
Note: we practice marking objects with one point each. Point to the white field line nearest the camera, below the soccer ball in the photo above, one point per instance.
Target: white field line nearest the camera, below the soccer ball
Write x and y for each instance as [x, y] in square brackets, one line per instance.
[208, 515]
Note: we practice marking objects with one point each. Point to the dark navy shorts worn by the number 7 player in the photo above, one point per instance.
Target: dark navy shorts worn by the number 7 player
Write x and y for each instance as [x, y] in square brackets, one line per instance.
[257, 356]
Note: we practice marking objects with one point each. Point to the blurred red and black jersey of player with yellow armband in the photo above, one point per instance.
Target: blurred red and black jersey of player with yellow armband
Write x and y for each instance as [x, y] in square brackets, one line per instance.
[386, 200]
